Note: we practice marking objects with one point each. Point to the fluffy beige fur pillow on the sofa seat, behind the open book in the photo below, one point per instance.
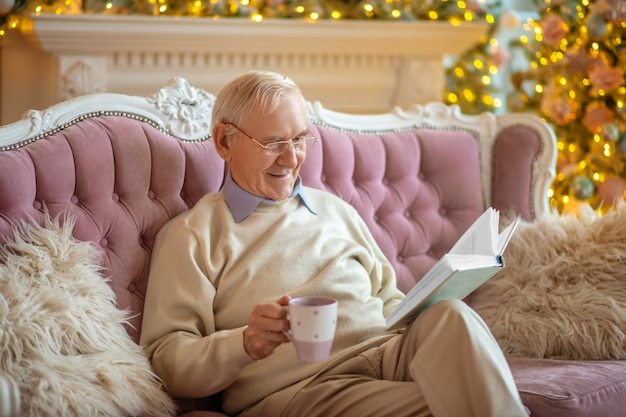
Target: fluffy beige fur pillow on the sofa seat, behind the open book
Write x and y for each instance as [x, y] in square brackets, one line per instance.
[562, 293]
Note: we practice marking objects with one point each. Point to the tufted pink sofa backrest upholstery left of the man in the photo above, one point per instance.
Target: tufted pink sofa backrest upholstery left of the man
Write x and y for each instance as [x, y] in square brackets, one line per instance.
[121, 179]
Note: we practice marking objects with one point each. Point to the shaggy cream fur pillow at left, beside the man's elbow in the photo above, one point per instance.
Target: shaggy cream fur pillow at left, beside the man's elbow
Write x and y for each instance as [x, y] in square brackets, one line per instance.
[61, 336]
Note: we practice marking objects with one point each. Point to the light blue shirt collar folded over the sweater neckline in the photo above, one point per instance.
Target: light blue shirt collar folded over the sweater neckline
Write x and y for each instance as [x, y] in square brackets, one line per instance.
[242, 203]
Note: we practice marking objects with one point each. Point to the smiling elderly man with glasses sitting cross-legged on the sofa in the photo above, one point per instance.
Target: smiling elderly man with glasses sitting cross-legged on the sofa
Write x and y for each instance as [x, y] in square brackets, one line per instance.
[223, 272]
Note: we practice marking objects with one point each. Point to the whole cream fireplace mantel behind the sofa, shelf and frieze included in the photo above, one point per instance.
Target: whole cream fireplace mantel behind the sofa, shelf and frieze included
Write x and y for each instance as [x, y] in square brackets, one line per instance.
[361, 66]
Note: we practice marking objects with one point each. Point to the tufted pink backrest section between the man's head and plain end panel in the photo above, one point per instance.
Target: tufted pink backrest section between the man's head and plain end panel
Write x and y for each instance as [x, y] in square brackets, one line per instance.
[417, 191]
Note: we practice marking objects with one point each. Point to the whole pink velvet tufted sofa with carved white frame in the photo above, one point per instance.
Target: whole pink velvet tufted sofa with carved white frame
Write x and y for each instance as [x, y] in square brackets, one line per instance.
[123, 166]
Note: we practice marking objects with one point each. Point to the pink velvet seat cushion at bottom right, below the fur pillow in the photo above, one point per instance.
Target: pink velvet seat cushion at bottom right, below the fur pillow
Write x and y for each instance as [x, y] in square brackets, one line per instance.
[550, 387]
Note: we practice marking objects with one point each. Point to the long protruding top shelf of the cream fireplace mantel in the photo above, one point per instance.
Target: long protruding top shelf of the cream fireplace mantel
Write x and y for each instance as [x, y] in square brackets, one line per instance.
[105, 33]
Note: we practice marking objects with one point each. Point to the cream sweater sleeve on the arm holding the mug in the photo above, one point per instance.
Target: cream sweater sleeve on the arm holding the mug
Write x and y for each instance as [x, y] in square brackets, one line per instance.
[178, 332]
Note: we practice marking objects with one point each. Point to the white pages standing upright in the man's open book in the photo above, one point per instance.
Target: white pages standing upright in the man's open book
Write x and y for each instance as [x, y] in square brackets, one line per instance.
[481, 238]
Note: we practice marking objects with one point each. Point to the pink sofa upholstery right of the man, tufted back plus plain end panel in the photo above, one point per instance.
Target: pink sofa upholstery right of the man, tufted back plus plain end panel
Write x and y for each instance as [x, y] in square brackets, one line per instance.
[419, 188]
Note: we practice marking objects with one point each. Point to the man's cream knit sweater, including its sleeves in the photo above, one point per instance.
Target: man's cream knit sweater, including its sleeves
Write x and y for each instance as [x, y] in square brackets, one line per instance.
[208, 272]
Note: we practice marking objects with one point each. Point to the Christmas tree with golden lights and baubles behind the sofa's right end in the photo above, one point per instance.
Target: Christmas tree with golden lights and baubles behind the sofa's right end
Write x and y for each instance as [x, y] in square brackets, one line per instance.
[575, 81]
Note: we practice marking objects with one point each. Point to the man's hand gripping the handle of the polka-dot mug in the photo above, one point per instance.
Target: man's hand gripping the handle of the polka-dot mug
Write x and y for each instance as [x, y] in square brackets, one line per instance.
[265, 328]
